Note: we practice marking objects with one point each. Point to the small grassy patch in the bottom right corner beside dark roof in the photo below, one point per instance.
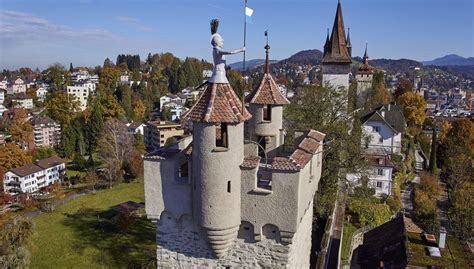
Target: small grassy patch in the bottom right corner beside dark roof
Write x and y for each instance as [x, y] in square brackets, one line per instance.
[419, 256]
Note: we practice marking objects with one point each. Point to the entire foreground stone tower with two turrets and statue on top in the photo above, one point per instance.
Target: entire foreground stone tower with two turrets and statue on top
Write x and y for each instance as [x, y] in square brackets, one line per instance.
[215, 202]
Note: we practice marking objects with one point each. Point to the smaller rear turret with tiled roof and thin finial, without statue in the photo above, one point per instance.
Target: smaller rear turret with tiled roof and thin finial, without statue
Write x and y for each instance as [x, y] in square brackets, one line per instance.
[266, 105]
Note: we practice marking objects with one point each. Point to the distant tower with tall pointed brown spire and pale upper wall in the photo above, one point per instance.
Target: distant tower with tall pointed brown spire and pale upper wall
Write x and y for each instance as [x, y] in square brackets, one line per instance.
[336, 64]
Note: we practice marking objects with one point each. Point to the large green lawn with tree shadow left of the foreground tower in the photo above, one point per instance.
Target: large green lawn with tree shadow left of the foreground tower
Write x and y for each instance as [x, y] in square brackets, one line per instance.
[69, 237]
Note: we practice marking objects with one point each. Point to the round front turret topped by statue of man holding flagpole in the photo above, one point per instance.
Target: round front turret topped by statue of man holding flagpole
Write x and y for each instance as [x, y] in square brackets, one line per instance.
[218, 151]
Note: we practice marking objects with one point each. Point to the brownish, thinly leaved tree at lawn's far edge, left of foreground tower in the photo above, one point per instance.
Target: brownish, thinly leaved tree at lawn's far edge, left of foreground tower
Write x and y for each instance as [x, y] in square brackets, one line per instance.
[115, 146]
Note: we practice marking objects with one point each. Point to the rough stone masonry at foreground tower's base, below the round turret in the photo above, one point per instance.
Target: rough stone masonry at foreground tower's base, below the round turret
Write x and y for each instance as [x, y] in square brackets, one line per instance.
[186, 247]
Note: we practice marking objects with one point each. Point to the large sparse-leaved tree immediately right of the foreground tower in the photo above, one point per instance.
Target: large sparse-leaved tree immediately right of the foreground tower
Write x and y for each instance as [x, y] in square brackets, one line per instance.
[325, 109]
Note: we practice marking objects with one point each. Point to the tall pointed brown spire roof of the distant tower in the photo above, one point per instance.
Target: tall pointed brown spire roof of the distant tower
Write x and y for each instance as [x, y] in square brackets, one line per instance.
[337, 52]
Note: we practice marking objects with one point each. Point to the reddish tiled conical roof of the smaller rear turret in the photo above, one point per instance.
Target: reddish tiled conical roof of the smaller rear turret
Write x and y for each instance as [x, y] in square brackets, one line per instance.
[267, 93]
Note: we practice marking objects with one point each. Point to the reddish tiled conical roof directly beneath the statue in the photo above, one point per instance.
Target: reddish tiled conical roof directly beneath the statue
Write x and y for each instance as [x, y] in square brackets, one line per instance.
[218, 103]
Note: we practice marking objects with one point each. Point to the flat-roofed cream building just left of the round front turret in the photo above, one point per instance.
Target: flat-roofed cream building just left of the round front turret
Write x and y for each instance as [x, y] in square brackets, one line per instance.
[157, 132]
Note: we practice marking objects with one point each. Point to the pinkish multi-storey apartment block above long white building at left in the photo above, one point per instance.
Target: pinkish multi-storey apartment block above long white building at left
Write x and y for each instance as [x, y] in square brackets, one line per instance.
[47, 132]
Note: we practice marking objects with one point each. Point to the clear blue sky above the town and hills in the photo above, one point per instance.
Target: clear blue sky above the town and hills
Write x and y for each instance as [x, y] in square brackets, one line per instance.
[37, 33]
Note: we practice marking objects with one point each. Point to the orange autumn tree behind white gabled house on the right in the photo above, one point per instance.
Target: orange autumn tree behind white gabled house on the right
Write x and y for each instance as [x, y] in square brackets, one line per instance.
[414, 107]
